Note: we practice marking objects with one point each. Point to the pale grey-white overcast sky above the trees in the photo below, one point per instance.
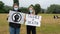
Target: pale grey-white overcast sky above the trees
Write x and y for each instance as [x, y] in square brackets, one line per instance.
[26, 3]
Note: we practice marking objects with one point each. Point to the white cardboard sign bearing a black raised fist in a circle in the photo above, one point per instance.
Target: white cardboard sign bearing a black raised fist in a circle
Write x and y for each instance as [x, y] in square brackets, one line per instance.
[16, 17]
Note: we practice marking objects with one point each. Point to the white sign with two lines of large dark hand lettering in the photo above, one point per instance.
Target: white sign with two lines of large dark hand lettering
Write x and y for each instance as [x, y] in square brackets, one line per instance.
[33, 20]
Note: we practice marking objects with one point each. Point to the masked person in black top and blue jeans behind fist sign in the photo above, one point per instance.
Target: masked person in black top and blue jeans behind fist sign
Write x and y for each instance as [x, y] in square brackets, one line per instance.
[14, 27]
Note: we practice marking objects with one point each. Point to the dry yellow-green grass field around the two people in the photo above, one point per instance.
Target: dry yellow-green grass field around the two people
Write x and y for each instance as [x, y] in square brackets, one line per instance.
[49, 25]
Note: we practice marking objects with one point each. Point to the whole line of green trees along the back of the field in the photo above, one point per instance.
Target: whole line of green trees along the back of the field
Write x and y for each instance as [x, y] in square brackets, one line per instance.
[53, 9]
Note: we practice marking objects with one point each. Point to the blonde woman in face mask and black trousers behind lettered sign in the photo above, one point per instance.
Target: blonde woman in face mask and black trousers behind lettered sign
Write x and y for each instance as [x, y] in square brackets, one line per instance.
[31, 28]
